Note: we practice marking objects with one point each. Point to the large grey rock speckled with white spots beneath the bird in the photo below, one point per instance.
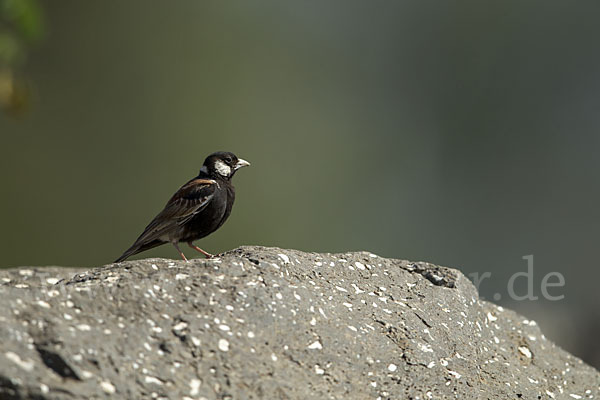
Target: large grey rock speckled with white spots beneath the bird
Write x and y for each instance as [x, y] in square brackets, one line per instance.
[267, 323]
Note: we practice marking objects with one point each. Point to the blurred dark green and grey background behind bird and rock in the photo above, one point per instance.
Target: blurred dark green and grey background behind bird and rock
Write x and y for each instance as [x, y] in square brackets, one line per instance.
[460, 133]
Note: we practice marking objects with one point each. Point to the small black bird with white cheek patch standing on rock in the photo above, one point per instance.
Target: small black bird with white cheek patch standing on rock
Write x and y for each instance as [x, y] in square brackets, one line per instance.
[196, 210]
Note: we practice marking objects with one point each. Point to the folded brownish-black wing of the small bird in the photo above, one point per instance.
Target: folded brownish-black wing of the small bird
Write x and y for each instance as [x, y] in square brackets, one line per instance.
[188, 201]
